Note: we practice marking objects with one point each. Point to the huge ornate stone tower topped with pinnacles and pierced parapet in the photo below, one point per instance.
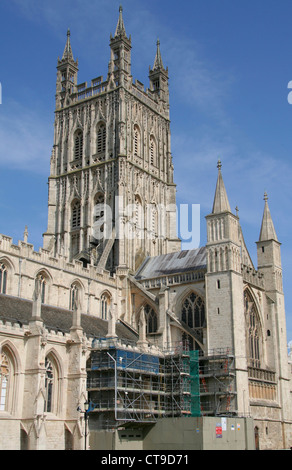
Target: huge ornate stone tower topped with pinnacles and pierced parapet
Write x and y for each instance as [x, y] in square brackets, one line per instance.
[111, 191]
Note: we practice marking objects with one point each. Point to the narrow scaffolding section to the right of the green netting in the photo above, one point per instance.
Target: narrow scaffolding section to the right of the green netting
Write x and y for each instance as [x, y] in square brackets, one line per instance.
[217, 383]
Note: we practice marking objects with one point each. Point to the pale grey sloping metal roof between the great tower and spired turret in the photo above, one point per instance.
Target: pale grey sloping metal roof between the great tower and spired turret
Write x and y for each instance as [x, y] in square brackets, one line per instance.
[172, 263]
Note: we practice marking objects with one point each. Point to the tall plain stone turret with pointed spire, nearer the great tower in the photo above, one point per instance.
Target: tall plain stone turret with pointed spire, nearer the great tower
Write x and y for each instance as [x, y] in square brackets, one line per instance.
[224, 288]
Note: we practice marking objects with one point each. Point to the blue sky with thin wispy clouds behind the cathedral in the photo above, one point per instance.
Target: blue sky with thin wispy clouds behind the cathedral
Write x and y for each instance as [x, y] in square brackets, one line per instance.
[229, 64]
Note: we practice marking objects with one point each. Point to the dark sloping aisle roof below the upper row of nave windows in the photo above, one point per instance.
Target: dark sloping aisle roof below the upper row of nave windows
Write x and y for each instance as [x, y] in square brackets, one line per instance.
[16, 310]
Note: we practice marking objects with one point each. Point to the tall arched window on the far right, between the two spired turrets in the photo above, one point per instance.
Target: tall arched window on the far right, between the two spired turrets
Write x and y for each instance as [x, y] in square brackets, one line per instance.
[253, 330]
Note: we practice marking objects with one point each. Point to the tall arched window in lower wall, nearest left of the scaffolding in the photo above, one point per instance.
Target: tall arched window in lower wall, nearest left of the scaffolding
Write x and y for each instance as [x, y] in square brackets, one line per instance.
[51, 385]
